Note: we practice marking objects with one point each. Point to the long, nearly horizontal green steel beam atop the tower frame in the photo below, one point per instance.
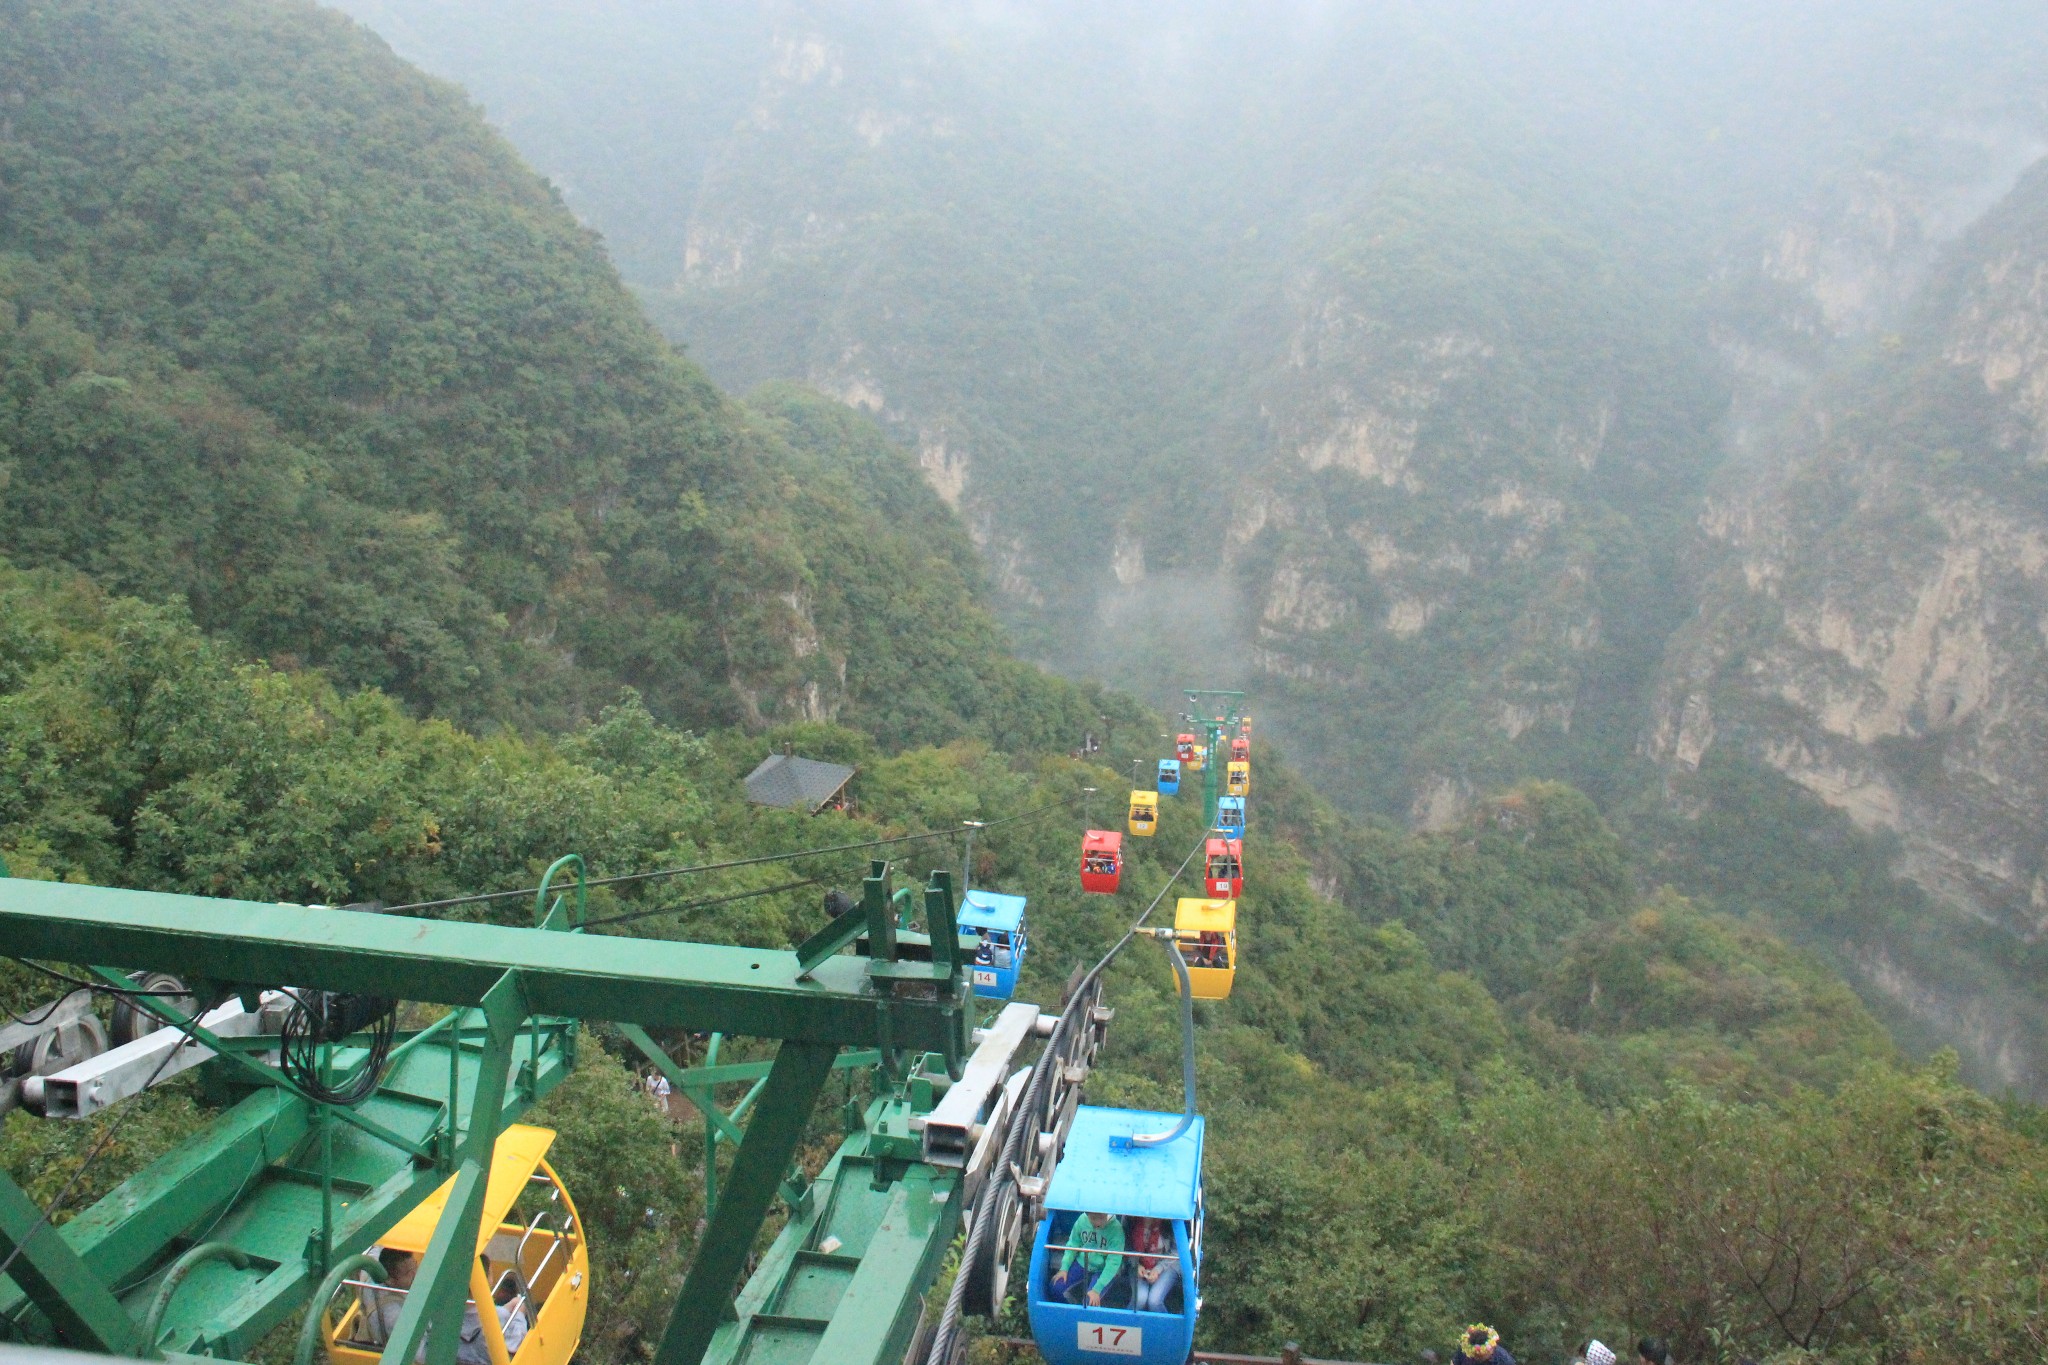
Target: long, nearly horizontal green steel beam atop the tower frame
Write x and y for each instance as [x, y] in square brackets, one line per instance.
[579, 975]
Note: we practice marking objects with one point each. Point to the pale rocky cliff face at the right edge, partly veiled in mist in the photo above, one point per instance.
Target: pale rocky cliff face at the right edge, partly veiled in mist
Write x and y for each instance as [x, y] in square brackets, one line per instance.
[1875, 572]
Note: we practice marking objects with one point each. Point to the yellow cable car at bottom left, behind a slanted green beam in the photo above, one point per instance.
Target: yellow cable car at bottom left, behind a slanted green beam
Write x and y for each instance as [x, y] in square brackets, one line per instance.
[529, 1253]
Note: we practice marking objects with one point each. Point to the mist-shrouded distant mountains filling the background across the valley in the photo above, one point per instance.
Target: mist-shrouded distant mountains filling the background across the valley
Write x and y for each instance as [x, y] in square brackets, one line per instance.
[1404, 363]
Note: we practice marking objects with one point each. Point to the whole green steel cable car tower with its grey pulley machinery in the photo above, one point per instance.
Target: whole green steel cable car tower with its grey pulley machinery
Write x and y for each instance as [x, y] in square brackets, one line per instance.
[265, 1217]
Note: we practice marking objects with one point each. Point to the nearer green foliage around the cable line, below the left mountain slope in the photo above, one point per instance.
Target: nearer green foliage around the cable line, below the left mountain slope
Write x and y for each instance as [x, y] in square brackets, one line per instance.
[1603, 1125]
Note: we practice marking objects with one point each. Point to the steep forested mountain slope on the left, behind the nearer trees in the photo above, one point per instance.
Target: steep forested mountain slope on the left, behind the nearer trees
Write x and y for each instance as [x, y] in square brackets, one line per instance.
[290, 335]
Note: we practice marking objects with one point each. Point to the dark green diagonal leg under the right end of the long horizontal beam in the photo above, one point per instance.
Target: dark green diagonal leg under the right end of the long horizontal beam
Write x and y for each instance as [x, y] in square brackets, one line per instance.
[708, 1296]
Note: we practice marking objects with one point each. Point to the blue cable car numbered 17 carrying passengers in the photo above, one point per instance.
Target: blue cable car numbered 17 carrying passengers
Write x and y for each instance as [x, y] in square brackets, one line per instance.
[1132, 1184]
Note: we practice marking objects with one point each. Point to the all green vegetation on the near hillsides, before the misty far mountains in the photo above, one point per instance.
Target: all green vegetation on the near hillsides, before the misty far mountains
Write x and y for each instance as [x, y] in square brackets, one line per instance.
[364, 543]
